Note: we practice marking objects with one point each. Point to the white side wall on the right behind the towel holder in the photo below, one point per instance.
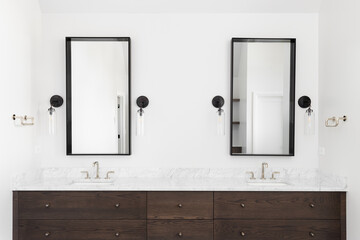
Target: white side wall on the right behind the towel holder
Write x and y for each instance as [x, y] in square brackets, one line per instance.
[339, 95]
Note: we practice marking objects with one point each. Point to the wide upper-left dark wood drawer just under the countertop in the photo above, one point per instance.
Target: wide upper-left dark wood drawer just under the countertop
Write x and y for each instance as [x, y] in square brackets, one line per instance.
[82, 205]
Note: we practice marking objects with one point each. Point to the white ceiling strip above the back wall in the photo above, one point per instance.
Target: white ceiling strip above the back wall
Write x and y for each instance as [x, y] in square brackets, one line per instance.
[180, 6]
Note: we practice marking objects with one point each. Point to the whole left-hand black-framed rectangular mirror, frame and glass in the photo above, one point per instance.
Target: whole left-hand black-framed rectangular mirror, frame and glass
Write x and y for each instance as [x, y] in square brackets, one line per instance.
[98, 96]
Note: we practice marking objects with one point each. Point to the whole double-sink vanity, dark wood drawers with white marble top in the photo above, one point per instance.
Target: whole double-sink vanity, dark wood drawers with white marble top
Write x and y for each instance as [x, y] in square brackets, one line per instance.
[169, 204]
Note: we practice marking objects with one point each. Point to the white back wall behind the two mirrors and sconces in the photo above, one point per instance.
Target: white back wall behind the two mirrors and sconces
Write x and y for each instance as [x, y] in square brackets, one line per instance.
[180, 61]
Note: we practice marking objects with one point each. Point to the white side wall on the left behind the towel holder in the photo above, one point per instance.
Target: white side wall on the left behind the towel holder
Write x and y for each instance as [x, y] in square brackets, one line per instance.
[20, 33]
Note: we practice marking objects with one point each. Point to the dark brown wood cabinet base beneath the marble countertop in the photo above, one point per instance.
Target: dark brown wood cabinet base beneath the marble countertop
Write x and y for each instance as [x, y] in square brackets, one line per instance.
[93, 215]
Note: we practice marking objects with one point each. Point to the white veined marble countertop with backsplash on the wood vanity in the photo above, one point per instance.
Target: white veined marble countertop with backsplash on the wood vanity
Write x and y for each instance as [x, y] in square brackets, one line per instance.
[178, 179]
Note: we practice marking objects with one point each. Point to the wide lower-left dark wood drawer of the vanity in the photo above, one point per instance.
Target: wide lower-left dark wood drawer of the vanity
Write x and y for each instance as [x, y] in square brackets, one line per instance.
[82, 229]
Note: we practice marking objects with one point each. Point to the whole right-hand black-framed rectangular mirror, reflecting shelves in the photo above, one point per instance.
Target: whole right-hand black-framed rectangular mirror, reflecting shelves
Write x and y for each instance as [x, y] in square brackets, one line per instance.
[263, 97]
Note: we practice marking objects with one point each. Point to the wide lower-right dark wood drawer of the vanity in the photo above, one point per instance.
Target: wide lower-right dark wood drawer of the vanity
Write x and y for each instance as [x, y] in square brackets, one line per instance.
[277, 229]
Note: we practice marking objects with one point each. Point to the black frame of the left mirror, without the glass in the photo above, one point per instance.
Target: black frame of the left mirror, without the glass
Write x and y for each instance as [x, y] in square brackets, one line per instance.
[68, 41]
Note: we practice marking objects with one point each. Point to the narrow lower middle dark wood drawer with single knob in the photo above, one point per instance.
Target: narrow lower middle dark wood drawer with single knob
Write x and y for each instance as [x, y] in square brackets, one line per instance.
[180, 229]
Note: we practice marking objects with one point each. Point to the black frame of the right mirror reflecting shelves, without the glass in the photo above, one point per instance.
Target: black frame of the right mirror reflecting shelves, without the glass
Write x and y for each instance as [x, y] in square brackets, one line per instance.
[292, 42]
